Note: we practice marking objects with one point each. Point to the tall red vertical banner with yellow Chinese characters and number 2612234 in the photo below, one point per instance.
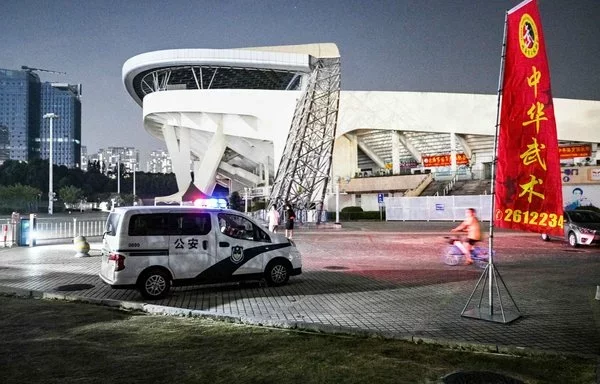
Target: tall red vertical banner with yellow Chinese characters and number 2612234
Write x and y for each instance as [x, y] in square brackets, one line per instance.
[528, 189]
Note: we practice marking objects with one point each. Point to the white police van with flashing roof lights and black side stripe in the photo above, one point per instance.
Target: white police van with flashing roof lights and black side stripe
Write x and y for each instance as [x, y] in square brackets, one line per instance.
[156, 247]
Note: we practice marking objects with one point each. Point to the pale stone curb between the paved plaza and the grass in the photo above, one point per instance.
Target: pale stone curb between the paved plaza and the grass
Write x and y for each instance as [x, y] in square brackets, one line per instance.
[301, 326]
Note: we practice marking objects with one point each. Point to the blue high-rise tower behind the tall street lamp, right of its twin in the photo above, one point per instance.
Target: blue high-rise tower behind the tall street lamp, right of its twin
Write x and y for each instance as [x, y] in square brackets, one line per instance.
[63, 100]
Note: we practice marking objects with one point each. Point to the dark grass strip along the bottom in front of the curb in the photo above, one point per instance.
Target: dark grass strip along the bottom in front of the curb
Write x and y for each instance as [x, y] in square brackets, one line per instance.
[50, 341]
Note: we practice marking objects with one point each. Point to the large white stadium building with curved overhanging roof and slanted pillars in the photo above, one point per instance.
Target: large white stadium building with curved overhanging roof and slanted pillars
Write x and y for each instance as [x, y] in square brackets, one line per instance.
[225, 116]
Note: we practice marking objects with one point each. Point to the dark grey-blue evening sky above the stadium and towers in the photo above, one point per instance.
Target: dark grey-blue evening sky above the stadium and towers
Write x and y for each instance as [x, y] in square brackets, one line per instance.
[386, 45]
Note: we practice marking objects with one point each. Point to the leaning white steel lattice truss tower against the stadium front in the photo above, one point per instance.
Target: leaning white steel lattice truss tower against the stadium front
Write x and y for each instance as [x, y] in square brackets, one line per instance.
[303, 172]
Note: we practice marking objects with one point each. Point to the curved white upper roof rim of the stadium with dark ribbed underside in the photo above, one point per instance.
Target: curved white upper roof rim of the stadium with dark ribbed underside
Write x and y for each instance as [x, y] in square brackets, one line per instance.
[213, 69]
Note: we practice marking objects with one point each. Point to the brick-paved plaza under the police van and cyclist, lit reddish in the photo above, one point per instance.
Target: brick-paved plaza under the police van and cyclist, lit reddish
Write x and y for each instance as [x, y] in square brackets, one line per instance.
[383, 279]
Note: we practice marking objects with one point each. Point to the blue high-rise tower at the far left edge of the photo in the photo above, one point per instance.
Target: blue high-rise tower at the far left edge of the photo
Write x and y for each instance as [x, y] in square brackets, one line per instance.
[20, 113]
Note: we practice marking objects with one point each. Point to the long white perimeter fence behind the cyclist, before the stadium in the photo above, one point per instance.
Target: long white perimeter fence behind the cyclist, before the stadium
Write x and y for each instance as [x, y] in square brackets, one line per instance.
[444, 208]
